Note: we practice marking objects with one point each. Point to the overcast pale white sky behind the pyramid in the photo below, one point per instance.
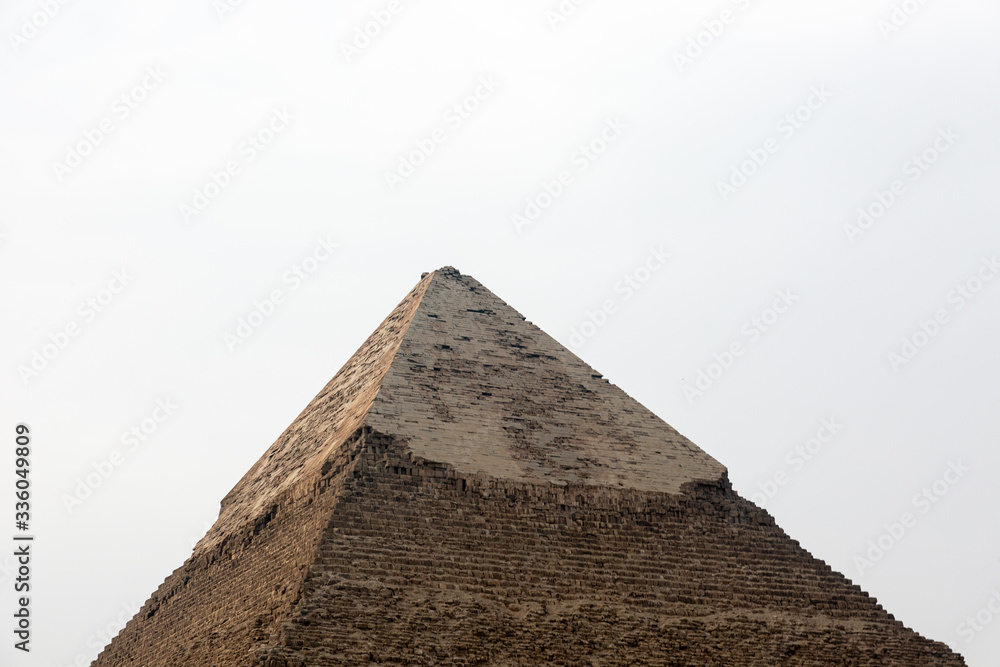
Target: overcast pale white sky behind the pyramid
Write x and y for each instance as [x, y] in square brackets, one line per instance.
[93, 185]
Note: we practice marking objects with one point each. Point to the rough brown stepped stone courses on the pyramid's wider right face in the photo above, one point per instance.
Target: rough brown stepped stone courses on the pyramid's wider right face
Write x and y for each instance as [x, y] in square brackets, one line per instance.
[420, 565]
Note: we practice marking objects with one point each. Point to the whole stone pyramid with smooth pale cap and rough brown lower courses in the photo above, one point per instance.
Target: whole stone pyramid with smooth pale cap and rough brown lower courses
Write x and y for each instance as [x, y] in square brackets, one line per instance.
[466, 491]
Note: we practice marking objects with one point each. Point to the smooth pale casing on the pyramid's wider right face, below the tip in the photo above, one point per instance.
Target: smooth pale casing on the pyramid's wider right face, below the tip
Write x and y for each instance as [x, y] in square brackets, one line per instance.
[476, 387]
